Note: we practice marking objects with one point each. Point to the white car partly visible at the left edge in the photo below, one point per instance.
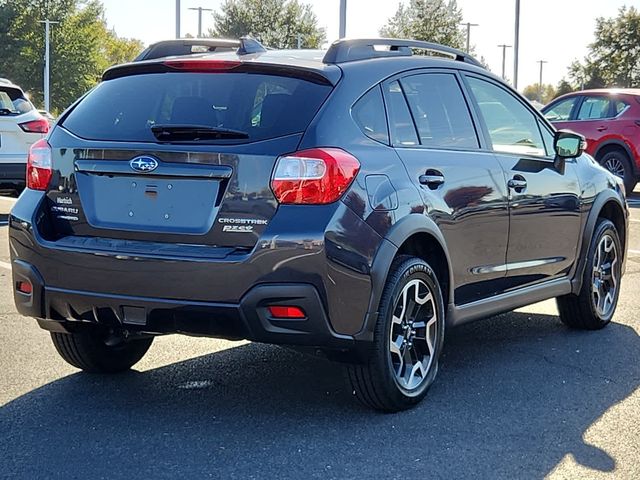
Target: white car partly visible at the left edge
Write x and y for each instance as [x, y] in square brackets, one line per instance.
[20, 126]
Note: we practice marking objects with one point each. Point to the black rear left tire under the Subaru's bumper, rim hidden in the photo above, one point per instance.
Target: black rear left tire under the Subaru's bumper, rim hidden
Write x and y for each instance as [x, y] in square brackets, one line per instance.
[98, 352]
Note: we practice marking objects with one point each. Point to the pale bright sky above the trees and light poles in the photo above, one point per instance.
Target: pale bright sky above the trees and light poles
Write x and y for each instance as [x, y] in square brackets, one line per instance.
[557, 31]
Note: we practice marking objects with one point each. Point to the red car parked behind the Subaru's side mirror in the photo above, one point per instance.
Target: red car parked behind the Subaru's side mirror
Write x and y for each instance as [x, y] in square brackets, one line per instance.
[610, 120]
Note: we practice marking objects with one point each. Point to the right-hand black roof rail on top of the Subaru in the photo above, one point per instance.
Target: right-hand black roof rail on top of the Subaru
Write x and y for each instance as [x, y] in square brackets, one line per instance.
[349, 50]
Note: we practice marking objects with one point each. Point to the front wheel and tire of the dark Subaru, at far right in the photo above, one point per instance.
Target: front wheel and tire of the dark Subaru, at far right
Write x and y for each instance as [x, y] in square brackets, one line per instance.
[590, 309]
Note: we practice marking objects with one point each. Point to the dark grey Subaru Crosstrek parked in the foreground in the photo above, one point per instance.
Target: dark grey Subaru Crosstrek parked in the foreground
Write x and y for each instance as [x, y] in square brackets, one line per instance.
[356, 202]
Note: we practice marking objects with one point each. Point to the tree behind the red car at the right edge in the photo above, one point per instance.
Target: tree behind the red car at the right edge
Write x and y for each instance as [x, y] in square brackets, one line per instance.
[613, 59]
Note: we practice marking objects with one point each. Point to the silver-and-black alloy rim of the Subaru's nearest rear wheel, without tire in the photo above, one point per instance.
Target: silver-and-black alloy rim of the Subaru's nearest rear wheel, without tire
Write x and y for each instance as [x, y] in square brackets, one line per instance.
[412, 339]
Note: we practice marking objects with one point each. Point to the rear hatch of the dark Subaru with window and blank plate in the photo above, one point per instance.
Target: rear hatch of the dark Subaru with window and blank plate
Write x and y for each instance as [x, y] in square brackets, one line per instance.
[165, 158]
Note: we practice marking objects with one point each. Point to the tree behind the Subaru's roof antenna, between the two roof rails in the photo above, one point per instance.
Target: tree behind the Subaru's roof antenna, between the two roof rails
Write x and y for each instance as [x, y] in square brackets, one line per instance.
[276, 23]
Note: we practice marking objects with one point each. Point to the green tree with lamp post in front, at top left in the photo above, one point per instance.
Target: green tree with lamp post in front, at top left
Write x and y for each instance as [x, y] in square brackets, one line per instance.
[81, 47]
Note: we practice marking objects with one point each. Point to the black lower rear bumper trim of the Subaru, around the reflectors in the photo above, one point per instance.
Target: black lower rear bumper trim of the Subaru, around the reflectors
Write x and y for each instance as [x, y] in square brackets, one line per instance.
[65, 310]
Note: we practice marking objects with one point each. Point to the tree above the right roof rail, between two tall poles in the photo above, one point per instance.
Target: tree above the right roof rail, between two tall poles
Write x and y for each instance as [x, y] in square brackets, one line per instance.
[431, 20]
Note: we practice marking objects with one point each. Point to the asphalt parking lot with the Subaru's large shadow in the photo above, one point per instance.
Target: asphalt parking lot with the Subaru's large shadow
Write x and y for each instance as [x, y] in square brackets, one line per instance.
[518, 396]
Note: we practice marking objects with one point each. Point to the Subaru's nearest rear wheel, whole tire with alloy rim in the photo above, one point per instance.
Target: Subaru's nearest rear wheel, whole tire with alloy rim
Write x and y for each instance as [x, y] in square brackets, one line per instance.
[378, 382]
